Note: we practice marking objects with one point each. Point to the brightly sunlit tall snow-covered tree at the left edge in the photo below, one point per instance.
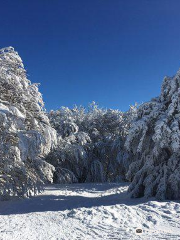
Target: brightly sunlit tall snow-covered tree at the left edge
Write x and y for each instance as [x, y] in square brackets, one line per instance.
[25, 133]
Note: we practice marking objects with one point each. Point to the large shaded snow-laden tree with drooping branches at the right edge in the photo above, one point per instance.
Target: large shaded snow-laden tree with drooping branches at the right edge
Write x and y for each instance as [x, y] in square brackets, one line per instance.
[154, 145]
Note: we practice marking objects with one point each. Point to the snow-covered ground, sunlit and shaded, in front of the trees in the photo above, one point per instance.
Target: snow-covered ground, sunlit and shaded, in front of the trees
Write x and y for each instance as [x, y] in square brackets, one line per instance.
[88, 211]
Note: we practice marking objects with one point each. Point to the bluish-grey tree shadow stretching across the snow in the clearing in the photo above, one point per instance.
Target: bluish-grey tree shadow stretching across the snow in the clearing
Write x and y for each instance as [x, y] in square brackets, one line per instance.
[51, 202]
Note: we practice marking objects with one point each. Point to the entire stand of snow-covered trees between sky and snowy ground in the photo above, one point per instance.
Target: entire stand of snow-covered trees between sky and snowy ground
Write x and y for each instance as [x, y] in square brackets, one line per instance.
[78, 145]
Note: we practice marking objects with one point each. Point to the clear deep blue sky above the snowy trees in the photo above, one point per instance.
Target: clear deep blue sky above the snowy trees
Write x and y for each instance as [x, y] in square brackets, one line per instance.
[115, 52]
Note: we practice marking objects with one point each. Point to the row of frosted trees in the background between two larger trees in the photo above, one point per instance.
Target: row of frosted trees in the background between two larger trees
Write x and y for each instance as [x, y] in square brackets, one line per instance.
[90, 144]
